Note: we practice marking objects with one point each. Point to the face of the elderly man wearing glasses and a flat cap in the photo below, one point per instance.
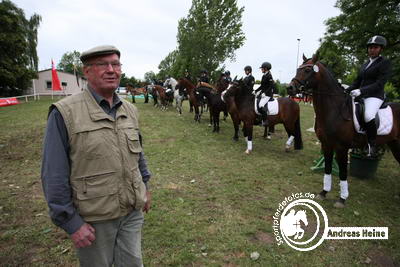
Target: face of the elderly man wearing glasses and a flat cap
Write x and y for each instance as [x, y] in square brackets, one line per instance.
[103, 73]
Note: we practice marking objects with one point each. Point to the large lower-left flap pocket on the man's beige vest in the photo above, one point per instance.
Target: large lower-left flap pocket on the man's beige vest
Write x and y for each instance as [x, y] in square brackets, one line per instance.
[96, 196]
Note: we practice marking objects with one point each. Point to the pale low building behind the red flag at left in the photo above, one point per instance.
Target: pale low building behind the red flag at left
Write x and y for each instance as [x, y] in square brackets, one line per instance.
[69, 83]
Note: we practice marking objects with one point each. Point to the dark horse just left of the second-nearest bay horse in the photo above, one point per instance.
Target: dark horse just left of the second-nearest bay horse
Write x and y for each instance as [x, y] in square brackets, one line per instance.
[215, 102]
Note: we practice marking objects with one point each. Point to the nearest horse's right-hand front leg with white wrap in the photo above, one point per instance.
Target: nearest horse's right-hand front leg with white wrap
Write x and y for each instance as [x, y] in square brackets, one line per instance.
[341, 158]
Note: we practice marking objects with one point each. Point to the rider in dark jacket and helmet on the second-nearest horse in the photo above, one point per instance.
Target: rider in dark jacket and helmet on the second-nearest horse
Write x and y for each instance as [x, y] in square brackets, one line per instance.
[266, 89]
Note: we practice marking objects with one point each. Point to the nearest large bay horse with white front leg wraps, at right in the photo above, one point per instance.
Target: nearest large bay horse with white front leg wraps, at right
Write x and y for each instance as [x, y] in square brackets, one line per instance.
[334, 125]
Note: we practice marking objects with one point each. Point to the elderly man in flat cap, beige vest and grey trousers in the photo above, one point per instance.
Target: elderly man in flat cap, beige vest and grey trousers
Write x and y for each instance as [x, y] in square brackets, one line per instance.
[94, 173]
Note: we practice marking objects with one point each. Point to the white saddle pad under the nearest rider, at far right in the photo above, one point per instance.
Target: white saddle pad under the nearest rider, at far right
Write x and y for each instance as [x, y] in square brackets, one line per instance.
[383, 118]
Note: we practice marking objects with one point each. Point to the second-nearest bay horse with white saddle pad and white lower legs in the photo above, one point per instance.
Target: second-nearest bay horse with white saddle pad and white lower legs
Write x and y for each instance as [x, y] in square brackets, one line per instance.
[241, 103]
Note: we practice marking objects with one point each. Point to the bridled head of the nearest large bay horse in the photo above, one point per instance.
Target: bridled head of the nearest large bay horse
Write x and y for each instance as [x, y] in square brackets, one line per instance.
[306, 76]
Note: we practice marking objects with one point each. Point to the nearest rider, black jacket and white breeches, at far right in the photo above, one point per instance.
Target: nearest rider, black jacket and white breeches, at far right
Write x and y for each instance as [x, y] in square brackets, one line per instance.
[370, 84]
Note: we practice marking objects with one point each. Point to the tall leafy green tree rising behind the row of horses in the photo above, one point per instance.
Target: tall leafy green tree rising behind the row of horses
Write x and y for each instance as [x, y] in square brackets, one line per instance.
[207, 37]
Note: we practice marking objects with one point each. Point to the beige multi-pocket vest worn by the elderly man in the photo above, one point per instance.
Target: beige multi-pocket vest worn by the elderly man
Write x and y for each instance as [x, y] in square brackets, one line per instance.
[105, 178]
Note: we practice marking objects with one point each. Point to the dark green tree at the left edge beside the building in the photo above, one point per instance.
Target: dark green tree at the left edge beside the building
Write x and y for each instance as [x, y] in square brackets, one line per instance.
[18, 60]
